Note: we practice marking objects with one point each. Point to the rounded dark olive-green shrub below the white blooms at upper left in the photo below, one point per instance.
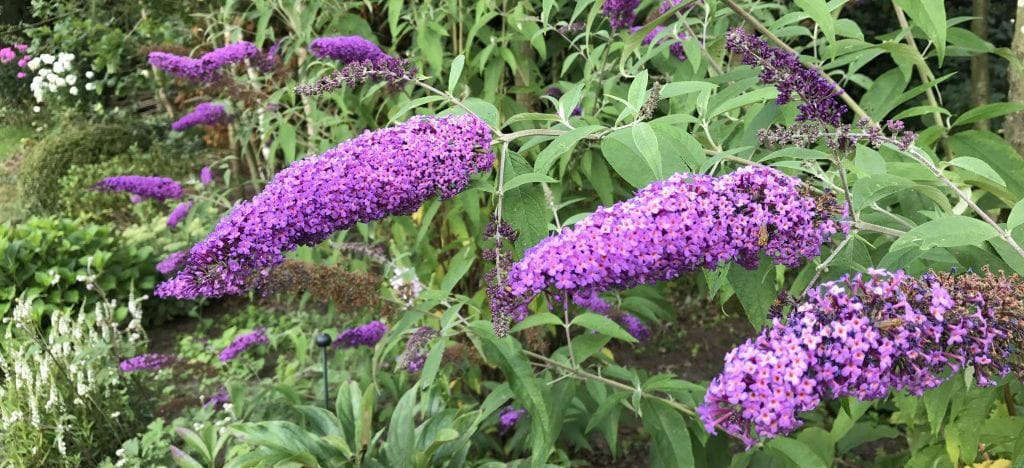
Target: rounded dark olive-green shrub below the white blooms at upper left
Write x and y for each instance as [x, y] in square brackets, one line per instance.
[75, 145]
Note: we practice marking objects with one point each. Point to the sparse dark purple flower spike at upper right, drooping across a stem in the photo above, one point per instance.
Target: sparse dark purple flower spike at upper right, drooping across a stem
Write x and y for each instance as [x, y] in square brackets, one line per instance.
[784, 70]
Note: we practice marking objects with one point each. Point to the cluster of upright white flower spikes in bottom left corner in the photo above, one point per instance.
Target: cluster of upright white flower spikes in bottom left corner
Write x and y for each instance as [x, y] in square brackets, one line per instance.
[39, 387]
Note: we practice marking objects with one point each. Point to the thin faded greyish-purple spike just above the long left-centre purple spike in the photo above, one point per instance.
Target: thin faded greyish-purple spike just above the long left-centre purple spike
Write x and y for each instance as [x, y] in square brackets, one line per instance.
[392, 71]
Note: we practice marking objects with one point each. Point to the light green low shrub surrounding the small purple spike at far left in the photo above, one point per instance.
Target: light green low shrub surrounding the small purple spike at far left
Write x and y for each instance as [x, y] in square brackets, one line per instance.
[77, 199]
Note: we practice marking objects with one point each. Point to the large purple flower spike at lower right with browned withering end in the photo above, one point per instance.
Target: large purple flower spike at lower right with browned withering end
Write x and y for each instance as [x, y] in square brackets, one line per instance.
[866, 336]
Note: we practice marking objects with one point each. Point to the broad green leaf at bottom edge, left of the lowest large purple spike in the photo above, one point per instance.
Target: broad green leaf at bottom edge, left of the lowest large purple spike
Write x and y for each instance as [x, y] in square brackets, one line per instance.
[670, 439]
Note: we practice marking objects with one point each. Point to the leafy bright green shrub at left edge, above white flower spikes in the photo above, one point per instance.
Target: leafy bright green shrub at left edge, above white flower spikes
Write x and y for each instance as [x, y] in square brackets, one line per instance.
[46, 259]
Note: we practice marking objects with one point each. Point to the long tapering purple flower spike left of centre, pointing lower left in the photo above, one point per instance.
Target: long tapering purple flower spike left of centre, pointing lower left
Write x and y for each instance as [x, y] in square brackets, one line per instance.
[380, 174]
